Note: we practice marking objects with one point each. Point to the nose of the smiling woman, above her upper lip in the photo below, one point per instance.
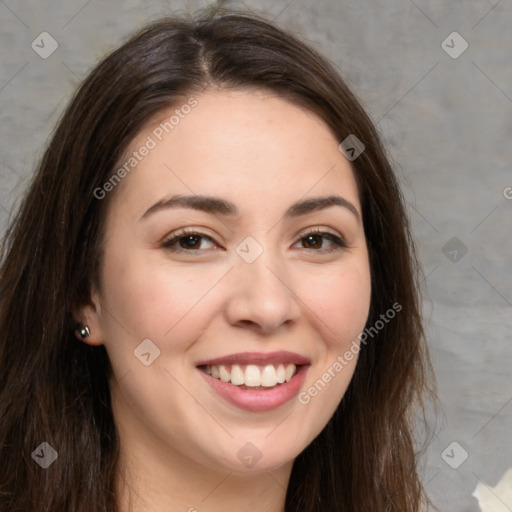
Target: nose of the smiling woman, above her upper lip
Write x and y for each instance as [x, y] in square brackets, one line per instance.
[262, 295]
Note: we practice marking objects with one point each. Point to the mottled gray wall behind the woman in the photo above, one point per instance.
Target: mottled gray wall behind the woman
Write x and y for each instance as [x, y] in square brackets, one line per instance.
[447, 123]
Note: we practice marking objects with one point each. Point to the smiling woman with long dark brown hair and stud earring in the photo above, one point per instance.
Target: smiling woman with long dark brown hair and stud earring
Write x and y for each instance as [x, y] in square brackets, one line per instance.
[209, 294]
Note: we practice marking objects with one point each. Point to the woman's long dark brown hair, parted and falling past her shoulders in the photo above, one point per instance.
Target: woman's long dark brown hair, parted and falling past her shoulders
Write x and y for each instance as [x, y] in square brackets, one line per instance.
[54, 388]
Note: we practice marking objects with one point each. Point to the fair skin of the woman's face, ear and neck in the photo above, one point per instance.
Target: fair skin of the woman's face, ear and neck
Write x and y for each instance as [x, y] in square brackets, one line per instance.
[180, 439]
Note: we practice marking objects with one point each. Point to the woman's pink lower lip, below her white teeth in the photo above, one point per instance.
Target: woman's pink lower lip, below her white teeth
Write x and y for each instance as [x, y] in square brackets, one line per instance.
[258, 400]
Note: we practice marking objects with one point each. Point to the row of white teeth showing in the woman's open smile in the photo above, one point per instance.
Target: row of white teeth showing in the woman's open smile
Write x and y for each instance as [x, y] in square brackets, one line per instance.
[251, 376]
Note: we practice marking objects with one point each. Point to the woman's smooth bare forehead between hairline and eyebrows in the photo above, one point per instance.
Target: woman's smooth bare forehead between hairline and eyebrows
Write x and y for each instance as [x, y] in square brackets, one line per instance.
[248, 143]
